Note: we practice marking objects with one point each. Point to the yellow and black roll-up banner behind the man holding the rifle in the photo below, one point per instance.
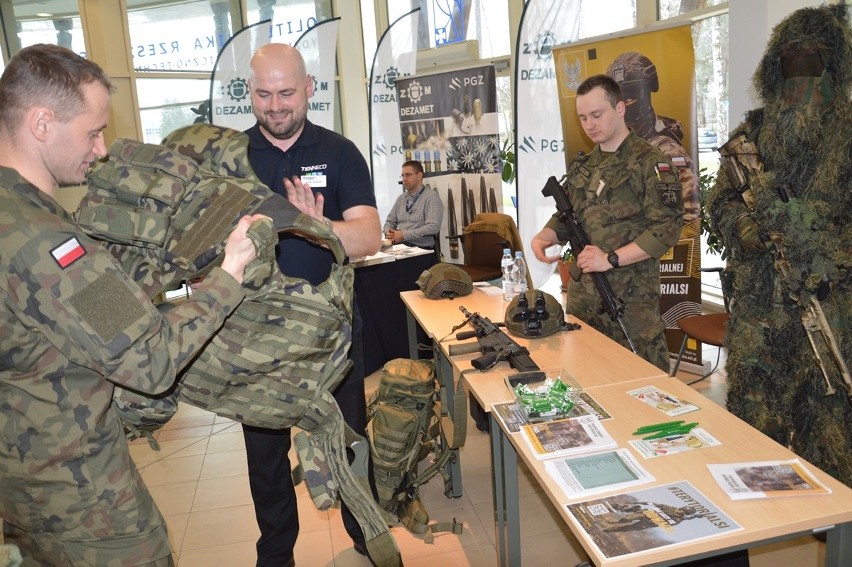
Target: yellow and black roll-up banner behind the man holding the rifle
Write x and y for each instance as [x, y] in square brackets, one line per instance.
[656, 71]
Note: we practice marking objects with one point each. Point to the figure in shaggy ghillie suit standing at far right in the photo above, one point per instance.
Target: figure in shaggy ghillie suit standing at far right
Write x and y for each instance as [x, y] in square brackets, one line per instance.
[799, 193]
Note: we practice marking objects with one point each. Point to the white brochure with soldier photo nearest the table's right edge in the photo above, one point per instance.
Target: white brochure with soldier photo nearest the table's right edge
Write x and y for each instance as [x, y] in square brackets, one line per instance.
[766, 479]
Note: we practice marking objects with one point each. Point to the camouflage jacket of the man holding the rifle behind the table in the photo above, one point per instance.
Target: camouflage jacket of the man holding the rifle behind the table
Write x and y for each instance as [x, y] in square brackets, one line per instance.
[630, 195]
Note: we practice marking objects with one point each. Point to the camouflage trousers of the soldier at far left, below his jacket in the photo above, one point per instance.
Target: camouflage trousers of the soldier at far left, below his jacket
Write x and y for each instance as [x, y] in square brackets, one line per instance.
[48, 550]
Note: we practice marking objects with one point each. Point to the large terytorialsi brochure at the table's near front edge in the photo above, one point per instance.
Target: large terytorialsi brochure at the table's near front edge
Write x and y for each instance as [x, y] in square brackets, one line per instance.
[650, 518]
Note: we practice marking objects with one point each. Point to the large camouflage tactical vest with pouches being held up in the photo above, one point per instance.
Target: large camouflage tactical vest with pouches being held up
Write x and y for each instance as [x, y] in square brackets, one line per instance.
[274, 361]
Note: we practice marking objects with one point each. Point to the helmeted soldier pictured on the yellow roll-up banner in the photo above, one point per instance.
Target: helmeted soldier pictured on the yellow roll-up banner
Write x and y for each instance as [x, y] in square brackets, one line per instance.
[637, 77]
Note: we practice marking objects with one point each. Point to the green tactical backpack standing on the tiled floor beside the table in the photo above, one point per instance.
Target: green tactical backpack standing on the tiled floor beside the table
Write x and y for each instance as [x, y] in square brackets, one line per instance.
[406, 426]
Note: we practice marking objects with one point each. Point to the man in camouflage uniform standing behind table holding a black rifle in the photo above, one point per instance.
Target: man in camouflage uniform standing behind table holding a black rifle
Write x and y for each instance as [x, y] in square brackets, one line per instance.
[628, 200]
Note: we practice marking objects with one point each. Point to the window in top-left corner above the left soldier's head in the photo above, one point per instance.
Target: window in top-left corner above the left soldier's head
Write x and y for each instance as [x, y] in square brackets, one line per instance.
[57, 23]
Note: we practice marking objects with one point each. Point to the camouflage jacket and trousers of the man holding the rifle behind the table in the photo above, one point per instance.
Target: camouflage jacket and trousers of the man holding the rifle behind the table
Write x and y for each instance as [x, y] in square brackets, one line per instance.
[639, 201]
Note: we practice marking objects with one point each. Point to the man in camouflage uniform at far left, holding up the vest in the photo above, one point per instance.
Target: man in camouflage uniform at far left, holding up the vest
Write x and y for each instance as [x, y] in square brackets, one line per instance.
[73, 324]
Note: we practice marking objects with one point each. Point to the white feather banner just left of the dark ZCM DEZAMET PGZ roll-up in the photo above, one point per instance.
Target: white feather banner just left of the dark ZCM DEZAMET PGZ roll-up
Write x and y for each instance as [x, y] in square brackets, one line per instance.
[396, 56]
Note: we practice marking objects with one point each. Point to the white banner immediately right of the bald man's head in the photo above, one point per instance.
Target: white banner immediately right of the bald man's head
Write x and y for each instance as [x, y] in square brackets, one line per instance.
[318, 47]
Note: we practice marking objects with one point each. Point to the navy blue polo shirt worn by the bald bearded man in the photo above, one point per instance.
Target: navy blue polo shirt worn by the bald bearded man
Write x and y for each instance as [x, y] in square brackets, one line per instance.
[331, 165]
